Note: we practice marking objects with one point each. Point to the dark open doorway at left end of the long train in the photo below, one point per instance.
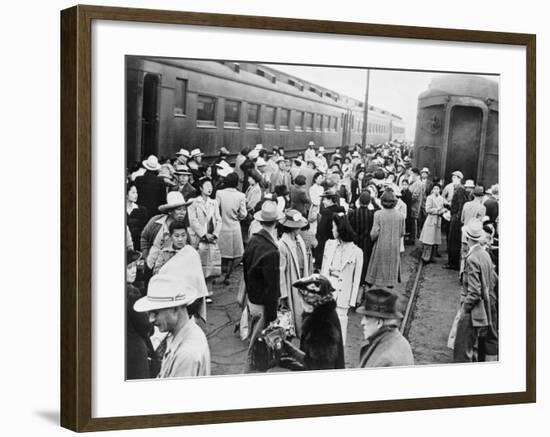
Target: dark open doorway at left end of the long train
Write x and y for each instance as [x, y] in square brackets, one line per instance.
[150, 116]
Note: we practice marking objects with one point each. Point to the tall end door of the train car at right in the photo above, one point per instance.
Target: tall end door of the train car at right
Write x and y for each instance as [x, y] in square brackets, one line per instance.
[464, 141]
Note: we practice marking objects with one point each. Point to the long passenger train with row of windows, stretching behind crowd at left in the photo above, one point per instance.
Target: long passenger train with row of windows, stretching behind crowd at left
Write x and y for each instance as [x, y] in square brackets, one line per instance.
[174, 103]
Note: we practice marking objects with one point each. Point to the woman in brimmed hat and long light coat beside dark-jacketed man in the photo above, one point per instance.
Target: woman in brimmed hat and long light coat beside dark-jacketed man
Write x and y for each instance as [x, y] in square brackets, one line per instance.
[295, 263]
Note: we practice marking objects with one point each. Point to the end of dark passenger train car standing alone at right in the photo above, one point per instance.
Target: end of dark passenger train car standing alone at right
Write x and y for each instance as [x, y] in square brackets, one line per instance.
[457, 128]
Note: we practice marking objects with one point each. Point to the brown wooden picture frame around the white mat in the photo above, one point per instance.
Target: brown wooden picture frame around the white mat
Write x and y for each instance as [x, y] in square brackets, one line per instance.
[76, 222]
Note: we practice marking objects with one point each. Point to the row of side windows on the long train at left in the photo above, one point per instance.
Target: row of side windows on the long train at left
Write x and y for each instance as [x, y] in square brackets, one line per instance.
[206, 116]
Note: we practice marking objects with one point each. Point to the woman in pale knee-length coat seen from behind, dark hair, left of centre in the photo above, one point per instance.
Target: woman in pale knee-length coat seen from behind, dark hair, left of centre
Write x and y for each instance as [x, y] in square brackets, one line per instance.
[232, 209]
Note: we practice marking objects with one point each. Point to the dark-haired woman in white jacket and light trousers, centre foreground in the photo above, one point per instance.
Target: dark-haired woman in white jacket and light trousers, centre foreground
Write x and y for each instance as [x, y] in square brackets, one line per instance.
[342, 265]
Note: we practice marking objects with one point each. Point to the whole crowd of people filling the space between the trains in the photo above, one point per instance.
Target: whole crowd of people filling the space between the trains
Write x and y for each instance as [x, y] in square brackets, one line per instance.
[317, 234]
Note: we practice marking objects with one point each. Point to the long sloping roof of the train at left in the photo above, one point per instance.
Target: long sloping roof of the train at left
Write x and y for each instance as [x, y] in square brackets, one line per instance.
[268, 77]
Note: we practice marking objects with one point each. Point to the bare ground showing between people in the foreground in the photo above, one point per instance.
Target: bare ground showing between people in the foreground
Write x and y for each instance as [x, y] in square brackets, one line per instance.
[431, 320]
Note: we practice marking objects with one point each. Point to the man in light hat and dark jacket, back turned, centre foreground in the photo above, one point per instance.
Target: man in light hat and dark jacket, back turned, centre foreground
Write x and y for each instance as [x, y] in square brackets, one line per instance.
[261, 269]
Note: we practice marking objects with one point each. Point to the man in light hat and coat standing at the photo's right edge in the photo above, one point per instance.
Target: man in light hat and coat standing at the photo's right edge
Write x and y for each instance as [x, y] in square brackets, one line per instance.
[476, 329]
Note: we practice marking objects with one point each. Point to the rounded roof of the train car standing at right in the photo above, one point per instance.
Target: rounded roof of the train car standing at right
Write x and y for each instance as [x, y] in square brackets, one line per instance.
[462, 85]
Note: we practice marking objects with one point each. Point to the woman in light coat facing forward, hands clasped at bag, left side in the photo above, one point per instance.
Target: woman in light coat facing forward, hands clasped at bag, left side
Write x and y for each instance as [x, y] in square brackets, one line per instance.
[205, 221]
